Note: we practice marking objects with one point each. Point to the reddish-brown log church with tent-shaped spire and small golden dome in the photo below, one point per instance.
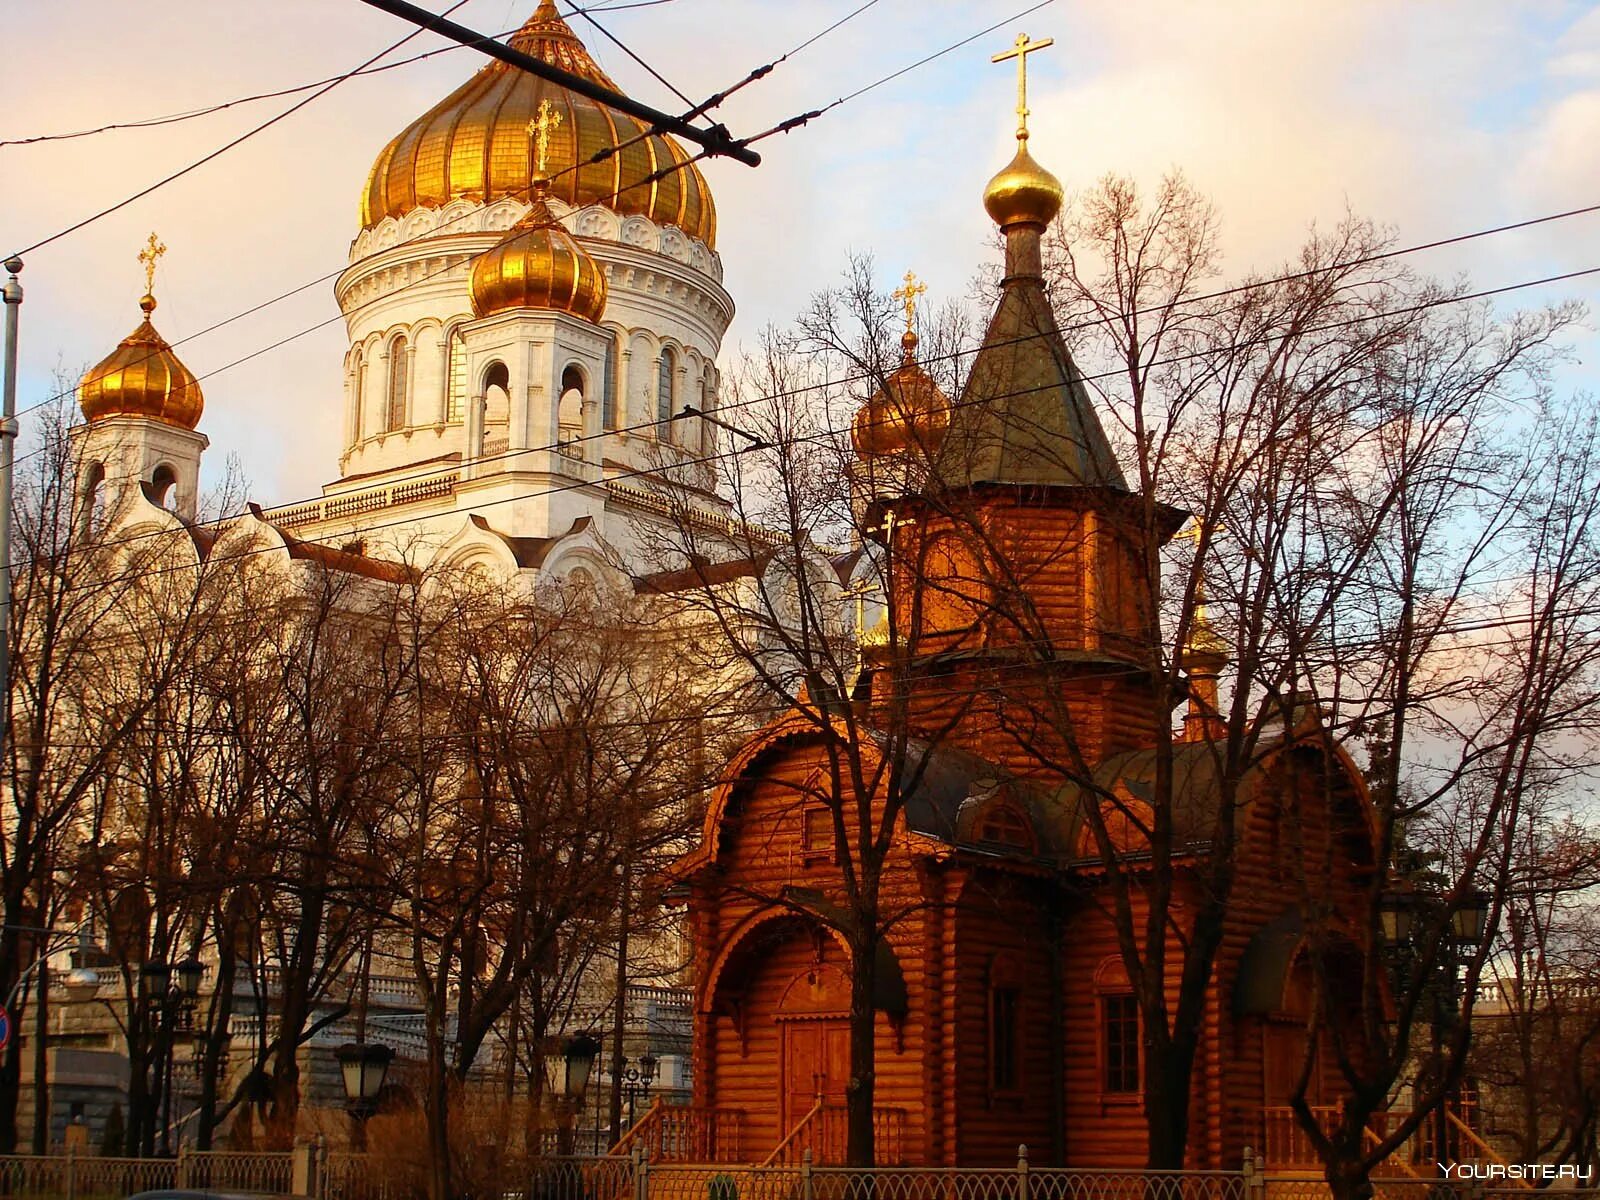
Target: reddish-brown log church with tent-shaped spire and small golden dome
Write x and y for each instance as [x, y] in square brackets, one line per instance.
[1004, 1007]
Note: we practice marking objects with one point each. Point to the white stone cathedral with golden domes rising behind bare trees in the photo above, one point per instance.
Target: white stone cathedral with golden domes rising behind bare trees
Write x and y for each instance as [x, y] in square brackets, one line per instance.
[534, 330]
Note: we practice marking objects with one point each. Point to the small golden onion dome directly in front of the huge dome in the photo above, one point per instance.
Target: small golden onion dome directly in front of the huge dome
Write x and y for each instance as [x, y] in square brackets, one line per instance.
[540, 268]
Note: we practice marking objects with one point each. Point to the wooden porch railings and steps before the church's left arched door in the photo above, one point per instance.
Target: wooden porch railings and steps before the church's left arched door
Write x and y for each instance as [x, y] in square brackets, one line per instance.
[682, 1134]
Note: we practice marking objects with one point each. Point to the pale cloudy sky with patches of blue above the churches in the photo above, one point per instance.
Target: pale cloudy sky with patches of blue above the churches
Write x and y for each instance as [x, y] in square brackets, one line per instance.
[1434, 119]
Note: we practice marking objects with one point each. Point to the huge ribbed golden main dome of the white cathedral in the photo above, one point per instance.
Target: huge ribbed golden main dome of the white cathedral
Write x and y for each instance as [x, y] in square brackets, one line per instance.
[474, 145]
